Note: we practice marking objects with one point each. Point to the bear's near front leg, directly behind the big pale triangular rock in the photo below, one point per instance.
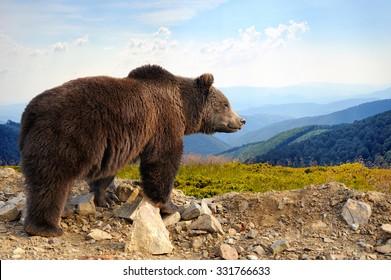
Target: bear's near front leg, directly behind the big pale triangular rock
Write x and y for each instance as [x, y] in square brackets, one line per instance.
[158, 175]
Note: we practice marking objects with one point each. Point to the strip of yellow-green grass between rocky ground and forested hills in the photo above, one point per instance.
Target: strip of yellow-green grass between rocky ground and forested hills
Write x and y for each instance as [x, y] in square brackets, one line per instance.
[208, 180]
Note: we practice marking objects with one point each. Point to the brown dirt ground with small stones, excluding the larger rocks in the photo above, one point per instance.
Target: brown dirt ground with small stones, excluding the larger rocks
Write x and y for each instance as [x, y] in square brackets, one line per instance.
[308, 219]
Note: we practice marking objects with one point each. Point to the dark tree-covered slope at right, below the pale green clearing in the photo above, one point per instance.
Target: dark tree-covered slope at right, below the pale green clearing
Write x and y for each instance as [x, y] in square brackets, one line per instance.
[367, 141]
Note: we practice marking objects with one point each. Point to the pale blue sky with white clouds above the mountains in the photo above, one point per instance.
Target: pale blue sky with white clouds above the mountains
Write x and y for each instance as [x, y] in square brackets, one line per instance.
[263, 43]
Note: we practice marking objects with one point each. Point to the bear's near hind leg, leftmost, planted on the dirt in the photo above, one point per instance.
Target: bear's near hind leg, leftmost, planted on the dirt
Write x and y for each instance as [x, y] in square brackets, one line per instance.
[44, 207]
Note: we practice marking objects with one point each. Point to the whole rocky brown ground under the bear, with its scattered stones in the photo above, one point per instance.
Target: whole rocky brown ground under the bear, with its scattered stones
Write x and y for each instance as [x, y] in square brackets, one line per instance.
[327, 221]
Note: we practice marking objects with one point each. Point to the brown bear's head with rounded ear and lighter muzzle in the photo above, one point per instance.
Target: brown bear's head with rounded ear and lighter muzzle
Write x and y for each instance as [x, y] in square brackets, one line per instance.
[217, 114]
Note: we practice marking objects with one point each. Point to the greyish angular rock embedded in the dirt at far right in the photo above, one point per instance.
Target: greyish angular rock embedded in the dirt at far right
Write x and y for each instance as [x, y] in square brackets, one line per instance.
[356, 212]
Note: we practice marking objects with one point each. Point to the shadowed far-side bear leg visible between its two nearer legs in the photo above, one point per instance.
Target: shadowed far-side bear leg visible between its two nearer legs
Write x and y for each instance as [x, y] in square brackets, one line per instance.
[104, 197]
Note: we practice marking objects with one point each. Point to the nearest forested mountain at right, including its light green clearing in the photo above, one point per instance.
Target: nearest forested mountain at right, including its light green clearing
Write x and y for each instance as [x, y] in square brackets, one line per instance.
[367, 140]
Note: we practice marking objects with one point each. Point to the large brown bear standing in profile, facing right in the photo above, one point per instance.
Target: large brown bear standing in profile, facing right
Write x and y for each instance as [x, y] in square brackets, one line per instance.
[90, 128]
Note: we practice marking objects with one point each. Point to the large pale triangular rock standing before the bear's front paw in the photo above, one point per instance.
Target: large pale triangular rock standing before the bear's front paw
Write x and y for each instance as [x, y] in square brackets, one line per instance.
[149, 234]
